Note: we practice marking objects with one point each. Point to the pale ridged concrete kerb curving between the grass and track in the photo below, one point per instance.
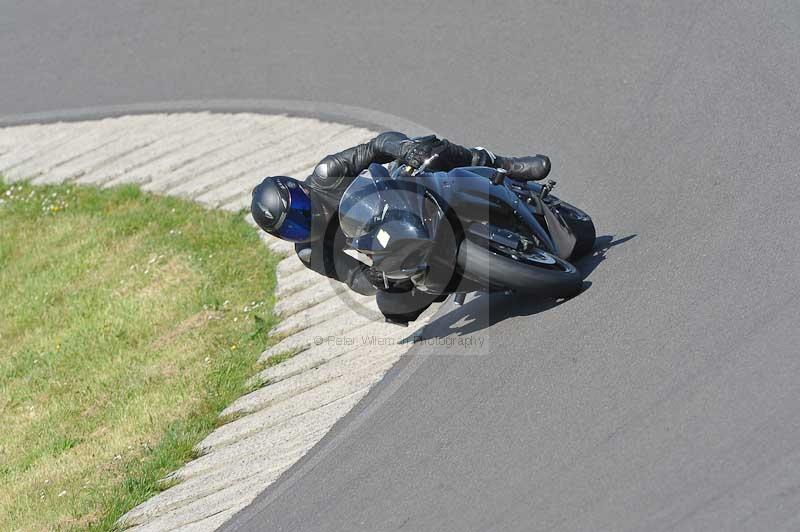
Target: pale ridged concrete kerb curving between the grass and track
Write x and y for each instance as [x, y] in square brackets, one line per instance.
[305, 395]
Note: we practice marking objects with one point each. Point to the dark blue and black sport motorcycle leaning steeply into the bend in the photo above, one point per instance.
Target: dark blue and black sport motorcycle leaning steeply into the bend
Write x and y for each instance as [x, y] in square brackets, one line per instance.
[469, 229]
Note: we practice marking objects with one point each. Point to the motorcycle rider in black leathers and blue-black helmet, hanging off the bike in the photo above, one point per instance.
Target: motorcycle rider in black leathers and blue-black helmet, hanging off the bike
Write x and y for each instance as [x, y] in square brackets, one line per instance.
[307, 212]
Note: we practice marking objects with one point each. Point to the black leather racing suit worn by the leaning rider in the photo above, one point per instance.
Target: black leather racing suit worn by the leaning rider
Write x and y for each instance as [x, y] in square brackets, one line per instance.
[326, 185]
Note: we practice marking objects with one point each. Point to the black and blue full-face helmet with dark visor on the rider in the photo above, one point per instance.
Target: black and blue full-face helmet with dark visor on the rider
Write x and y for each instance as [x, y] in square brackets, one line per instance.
[282, 208]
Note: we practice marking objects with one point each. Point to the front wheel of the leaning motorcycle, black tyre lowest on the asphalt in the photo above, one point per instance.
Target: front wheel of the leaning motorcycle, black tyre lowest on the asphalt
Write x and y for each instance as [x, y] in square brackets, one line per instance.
[501, 268]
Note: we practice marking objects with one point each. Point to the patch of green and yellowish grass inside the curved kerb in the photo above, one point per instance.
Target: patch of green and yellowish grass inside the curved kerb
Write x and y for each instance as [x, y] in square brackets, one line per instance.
[127, 323]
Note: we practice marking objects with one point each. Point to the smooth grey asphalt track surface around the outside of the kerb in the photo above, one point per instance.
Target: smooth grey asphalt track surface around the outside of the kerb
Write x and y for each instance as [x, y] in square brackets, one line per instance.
[667, 395]
